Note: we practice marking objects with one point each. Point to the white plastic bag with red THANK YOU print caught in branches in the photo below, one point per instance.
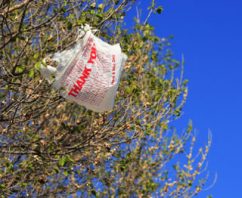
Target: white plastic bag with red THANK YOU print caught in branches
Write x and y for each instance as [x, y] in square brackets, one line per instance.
[88, 73]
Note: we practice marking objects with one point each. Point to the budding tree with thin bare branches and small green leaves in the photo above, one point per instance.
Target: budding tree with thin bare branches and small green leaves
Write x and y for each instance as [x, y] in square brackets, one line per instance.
[52, 147]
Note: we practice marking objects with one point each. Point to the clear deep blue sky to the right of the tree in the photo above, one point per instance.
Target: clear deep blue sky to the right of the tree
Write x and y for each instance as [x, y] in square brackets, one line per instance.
[209, 34]
